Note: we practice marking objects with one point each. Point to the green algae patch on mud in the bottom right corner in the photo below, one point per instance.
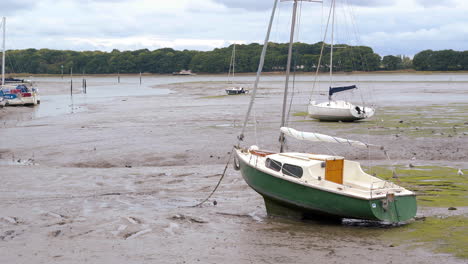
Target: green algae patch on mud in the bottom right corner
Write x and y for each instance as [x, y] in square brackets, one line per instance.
[442, 234]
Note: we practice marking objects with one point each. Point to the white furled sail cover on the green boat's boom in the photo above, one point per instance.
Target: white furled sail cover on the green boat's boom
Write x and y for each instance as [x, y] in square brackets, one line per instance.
[310, 136]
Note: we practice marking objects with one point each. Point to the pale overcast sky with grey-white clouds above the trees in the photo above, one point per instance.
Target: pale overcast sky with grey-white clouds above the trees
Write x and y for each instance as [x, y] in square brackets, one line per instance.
[388, 26]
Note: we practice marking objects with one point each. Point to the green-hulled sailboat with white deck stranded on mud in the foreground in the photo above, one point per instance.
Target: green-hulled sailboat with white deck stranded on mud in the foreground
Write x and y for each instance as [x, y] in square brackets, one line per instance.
[303, 185]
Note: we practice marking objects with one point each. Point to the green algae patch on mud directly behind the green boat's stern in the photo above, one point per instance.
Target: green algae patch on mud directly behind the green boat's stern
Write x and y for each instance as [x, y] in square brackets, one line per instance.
[434, 186]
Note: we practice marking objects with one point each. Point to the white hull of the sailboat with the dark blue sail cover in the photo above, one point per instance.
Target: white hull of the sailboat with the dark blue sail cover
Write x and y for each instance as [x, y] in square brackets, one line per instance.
[339, 111]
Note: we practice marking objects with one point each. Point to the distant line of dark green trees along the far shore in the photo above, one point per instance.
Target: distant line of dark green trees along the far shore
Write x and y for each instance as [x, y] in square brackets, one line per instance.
[345, 58]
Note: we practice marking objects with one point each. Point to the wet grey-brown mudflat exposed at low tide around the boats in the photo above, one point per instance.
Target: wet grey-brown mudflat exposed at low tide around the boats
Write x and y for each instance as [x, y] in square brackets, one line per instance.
[112, 176]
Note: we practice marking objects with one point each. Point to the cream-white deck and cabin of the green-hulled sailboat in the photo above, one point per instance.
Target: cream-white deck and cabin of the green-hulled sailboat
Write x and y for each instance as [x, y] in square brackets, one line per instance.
[326, 172]
